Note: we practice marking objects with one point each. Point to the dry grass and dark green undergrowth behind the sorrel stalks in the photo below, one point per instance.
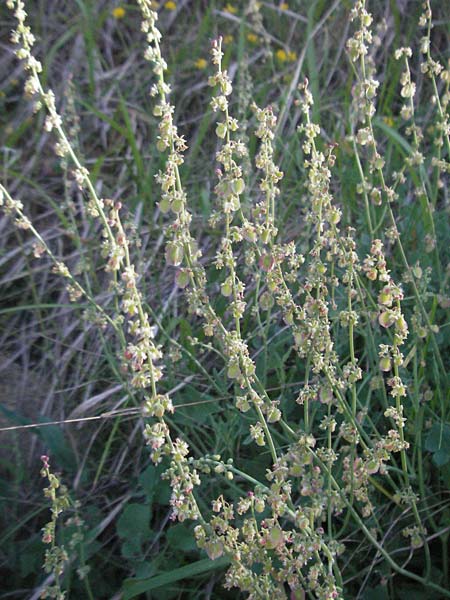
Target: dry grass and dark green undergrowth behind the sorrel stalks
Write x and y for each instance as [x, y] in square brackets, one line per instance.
[57, 365]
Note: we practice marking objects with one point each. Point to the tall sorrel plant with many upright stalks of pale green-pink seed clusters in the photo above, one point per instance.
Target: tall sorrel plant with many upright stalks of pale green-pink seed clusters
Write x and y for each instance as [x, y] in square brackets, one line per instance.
[347, 439]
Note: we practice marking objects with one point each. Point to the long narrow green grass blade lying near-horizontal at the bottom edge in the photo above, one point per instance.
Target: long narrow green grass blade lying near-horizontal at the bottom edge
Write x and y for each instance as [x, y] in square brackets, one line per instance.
[133, 587]
